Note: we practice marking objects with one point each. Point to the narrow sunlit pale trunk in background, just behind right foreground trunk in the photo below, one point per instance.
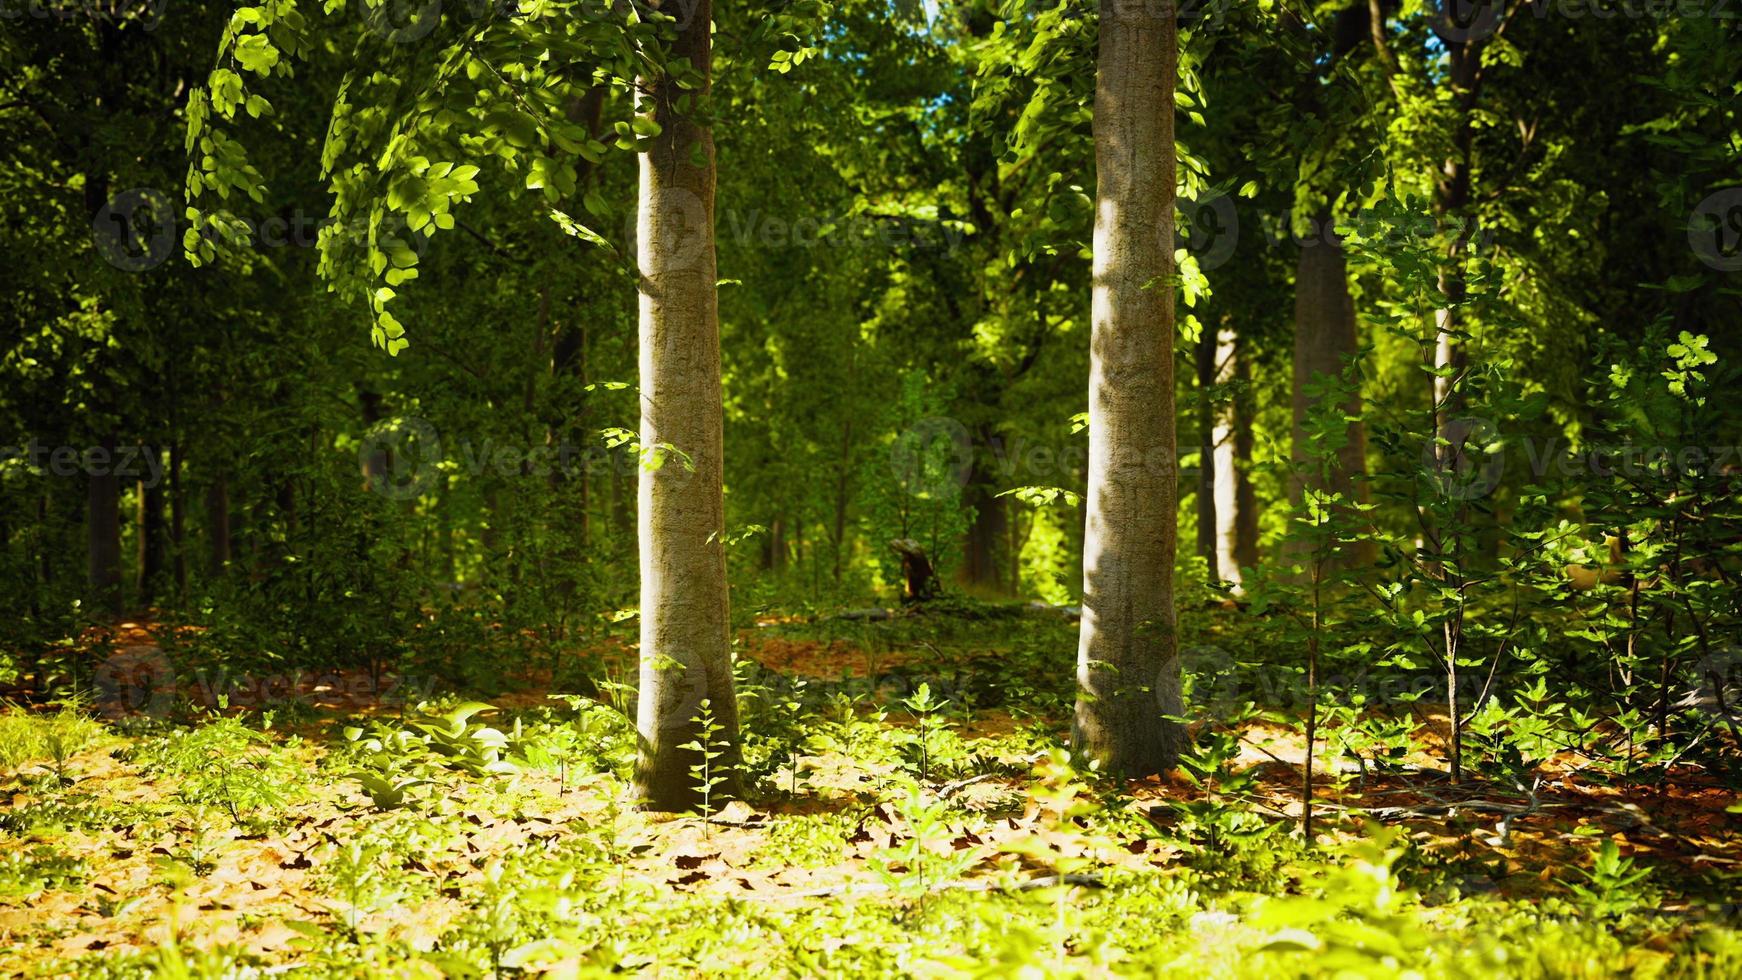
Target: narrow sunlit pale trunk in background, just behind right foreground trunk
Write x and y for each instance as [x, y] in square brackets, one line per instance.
[1232, 455]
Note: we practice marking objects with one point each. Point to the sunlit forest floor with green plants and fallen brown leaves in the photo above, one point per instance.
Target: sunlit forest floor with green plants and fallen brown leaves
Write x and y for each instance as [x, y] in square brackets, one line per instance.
[349, 831]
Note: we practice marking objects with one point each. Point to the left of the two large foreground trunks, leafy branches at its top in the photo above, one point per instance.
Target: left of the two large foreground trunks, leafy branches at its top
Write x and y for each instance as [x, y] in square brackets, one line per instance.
[685, 633]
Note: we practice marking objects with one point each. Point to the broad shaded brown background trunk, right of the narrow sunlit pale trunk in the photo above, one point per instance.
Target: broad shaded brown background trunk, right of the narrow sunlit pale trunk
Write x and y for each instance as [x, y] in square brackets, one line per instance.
[1325, 337]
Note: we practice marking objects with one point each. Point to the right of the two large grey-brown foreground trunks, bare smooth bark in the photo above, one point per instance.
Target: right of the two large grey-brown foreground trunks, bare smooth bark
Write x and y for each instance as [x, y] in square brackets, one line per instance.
[1128, 659]
